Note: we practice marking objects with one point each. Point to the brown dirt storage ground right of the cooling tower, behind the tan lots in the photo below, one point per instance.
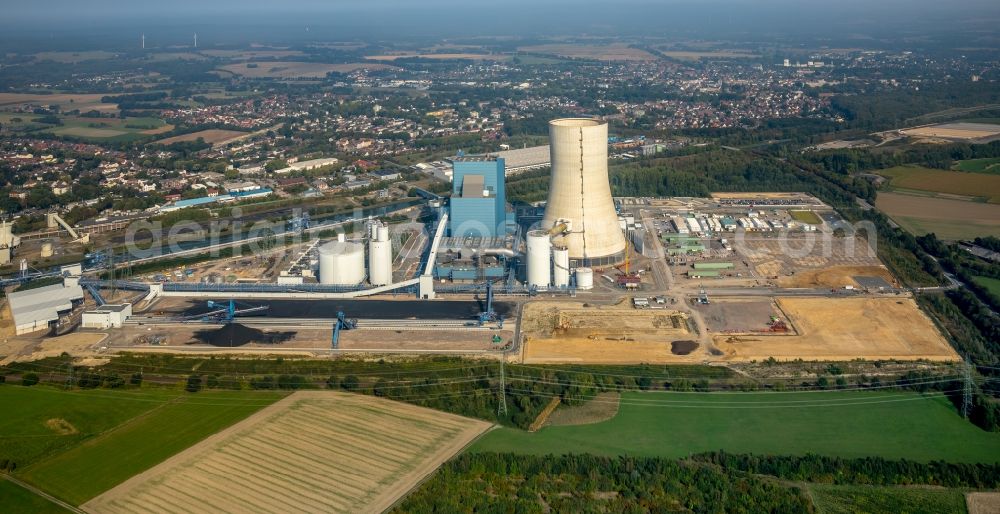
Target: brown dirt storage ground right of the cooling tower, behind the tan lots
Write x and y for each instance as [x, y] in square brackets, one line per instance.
[788, 256]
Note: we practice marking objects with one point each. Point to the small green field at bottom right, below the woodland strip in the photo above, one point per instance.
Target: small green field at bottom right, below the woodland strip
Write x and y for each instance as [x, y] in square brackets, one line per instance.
[850, 499]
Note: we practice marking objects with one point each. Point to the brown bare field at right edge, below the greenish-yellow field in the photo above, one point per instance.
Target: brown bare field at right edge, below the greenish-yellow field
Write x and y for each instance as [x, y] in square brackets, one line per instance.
[949, 219]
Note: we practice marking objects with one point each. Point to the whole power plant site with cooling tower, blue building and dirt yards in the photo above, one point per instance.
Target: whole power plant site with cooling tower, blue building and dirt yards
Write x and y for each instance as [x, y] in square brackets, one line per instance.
[605, 280]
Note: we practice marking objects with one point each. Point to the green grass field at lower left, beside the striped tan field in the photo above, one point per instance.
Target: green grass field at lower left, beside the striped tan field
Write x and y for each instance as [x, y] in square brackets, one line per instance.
[120, 433]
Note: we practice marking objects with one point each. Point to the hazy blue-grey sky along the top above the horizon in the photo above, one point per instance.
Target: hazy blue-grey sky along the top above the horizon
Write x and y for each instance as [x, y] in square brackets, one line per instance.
[709, 18]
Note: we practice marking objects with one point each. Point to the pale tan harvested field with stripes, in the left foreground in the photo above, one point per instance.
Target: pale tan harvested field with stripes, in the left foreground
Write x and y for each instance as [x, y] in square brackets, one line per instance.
[314, 451]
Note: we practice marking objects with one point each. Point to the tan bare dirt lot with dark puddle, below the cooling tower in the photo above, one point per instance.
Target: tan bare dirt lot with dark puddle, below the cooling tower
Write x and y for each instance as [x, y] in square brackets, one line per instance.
[568, 332]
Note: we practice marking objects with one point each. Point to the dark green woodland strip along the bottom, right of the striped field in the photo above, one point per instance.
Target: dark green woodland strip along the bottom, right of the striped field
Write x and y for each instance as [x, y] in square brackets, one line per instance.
[711, 482]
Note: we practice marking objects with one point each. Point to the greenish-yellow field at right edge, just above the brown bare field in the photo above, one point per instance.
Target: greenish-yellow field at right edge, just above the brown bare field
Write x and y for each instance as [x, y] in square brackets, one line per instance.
[971, 185]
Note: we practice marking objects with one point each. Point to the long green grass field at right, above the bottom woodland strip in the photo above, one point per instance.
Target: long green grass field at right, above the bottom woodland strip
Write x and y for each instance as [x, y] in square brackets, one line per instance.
[847, 424]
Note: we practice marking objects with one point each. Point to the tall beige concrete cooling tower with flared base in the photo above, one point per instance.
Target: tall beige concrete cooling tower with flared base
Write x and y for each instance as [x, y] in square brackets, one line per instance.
[580, 194]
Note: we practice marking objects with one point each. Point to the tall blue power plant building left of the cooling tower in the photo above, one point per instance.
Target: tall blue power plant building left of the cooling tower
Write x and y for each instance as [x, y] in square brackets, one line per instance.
[478, 200]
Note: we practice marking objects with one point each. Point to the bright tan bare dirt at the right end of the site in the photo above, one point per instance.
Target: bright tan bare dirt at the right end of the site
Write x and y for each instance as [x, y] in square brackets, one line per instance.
[843, 329]
